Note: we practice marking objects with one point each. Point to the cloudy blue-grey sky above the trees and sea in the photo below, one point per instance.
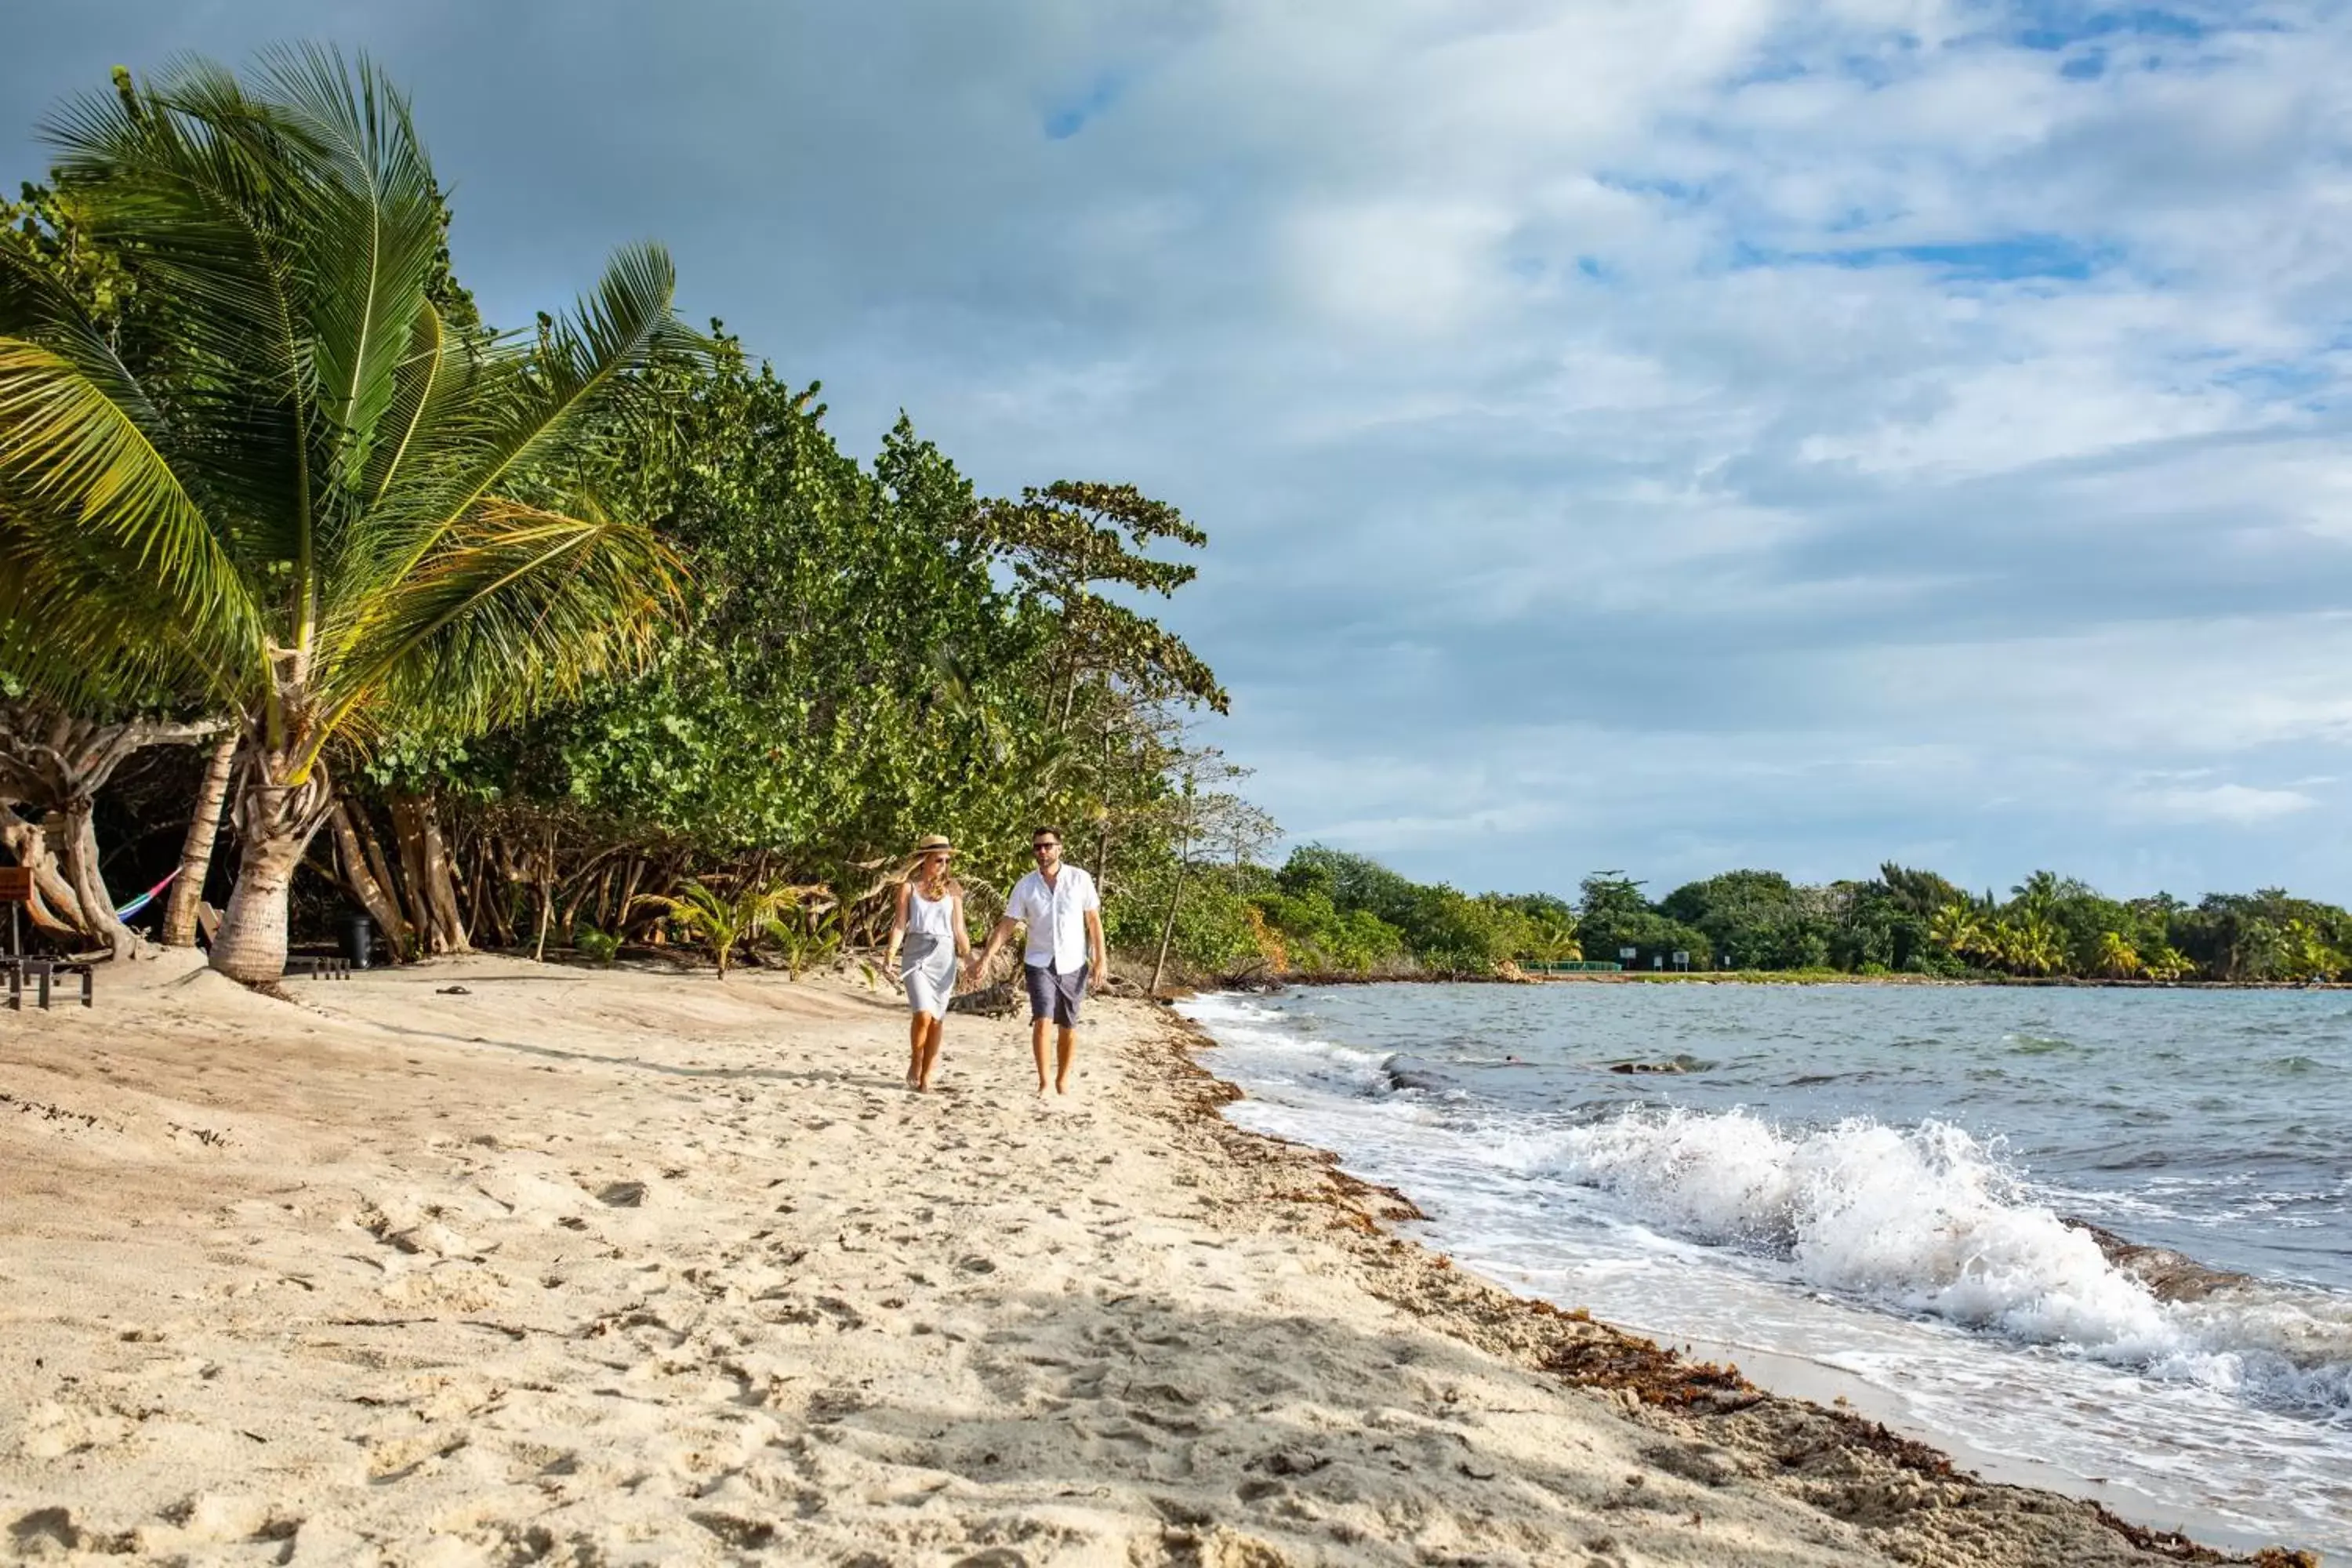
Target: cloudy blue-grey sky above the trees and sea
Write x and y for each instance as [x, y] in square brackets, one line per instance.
[1655, 436]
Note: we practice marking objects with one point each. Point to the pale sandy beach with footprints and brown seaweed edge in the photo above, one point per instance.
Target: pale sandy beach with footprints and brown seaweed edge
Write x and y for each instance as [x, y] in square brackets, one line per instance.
[493, 1264]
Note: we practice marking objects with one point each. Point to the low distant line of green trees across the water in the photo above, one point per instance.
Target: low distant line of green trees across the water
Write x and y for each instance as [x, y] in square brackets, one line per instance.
[1337, 913]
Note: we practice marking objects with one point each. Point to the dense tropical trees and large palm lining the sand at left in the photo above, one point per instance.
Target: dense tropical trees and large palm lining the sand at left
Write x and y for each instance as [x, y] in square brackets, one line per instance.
[582, 636]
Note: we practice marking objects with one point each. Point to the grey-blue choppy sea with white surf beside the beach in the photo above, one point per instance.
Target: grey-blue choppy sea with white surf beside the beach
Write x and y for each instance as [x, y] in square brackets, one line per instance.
[1866, 1191]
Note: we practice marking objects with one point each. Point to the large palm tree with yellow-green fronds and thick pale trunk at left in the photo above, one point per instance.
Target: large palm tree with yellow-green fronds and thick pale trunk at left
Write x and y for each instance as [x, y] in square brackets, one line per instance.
[298, 478]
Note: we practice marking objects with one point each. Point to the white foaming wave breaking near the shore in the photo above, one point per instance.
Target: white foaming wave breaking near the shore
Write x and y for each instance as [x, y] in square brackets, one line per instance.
[1932, 1221]
